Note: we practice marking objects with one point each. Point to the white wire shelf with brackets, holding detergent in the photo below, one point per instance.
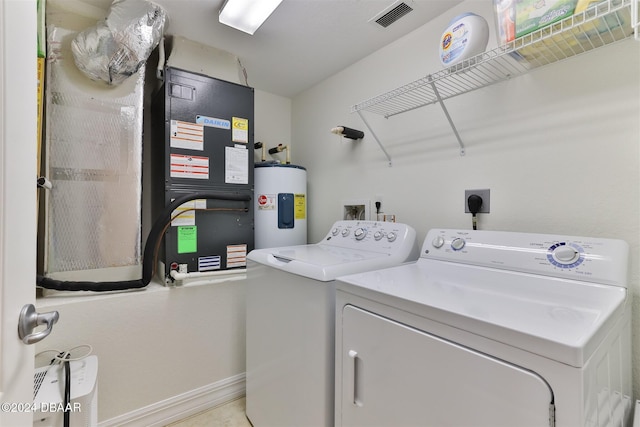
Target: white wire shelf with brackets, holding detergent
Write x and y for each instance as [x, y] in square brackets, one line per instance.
[608, 22]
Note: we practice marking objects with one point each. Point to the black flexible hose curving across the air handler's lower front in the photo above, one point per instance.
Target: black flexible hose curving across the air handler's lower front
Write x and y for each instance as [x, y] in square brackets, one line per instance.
[155, 235]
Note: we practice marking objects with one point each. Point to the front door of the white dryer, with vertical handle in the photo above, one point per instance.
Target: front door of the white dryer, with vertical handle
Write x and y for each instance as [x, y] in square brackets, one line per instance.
[394, 375]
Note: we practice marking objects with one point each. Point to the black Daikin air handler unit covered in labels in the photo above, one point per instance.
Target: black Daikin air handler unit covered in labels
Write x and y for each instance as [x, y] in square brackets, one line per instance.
[202, 133]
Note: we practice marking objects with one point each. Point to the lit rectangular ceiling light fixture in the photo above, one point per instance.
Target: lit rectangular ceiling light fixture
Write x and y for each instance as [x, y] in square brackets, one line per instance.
[247, 15]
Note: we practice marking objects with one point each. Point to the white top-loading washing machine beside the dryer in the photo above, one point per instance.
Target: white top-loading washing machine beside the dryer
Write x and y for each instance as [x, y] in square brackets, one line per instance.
[291, 318]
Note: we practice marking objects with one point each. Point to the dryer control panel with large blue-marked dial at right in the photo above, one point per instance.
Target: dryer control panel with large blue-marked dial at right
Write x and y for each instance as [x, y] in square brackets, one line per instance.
[581, 258]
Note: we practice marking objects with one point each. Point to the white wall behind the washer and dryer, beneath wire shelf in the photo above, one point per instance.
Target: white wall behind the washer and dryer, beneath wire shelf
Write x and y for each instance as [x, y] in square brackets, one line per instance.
[558, 147]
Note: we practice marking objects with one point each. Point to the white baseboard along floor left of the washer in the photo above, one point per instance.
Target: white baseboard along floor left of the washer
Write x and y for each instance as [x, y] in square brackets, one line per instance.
[178, 407]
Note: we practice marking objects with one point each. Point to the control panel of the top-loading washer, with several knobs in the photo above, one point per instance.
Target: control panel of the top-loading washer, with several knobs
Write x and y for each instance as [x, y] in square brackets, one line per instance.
[370, 235]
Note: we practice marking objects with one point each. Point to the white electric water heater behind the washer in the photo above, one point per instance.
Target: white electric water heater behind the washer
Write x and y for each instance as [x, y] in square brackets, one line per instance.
[280, 208]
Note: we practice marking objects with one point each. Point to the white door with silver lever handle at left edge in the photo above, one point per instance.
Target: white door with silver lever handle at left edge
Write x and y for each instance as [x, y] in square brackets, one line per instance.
[18, 71]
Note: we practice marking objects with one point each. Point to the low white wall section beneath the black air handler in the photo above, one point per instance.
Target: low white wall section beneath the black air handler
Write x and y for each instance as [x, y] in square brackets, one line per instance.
[155, 345]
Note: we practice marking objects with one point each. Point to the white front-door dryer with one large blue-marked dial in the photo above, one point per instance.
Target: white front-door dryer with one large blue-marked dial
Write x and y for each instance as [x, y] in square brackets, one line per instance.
[488, 329]
